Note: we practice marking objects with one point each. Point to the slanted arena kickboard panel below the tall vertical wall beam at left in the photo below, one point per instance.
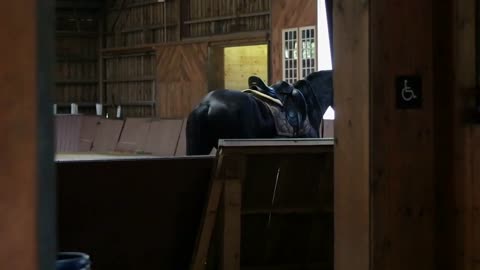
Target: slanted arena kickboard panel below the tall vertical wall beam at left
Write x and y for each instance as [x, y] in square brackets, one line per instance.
[107, 135]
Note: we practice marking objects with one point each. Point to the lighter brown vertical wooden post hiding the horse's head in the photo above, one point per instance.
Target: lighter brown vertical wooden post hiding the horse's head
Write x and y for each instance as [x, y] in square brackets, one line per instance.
[352, 131]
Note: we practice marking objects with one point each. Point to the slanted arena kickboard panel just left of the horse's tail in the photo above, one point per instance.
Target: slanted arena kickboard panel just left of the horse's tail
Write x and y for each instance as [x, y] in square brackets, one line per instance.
[162, 139]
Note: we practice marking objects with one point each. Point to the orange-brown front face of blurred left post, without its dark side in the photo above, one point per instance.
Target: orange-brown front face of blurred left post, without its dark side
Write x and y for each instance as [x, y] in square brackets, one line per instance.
[19, 143]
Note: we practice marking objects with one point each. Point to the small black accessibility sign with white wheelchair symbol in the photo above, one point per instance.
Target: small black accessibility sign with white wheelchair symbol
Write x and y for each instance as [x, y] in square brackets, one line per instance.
[408, 92]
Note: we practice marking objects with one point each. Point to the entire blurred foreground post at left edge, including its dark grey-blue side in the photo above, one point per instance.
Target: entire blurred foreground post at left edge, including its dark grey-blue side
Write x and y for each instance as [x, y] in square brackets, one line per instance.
[27, 188]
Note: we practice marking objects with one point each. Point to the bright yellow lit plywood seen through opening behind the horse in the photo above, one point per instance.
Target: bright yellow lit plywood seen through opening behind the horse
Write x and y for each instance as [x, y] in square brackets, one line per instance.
[243, 62]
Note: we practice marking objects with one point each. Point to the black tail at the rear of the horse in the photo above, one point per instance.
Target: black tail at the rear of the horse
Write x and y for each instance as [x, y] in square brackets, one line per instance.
[198, 141]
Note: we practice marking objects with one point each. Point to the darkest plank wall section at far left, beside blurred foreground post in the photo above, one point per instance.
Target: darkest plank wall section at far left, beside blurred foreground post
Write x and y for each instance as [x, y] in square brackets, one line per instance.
[77, 59]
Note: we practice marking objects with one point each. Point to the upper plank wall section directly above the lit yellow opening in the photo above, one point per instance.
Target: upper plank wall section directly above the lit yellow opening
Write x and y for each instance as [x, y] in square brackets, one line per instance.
[214, 17]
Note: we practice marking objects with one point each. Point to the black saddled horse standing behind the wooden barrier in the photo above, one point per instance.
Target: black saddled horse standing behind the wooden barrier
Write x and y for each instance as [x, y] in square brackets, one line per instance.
[230, 114]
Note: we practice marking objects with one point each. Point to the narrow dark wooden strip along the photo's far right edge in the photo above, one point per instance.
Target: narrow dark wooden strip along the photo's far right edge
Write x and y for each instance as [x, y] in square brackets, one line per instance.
[465, 178]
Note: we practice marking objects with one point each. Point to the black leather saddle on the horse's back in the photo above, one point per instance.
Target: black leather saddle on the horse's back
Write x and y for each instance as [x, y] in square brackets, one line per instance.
[294, 104]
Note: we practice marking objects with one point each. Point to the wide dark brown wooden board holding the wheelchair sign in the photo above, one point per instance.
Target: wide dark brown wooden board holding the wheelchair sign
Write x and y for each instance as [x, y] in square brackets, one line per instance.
[402, 150]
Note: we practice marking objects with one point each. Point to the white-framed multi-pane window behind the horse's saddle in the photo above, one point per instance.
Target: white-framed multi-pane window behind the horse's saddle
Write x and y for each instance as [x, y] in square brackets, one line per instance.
[299, 53]
